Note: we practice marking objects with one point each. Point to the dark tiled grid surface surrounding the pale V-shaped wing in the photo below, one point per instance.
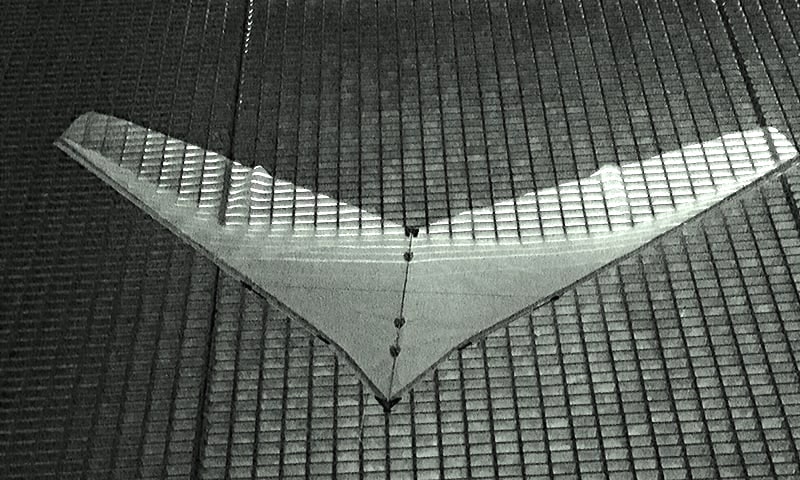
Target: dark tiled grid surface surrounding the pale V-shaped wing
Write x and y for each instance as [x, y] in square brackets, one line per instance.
[123, 354]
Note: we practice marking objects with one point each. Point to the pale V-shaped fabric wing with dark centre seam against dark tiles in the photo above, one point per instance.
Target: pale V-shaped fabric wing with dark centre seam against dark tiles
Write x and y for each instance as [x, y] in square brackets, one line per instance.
[395, 299]
